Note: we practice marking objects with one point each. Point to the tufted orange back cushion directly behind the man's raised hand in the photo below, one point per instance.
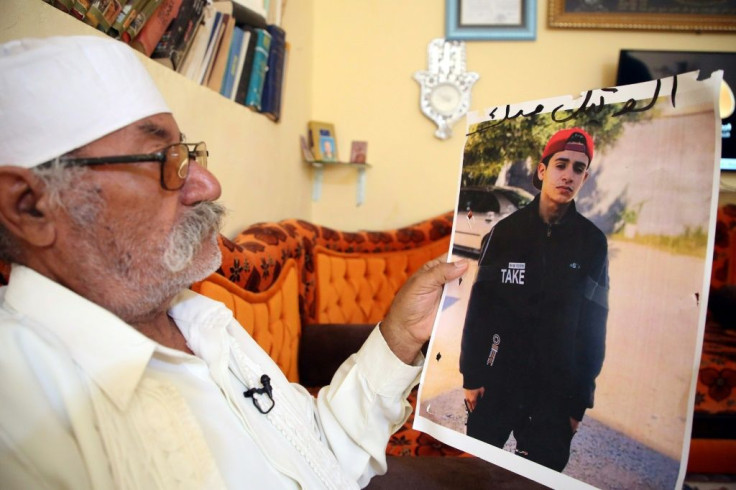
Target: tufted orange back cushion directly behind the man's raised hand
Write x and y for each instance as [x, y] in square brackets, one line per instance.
[359, 287]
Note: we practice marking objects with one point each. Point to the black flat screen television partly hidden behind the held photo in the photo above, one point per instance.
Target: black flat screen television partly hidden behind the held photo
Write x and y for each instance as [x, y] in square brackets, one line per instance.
[637, 65]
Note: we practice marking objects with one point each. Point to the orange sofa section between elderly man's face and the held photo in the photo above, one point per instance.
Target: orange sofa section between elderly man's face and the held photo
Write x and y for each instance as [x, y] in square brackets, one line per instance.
[280, 278]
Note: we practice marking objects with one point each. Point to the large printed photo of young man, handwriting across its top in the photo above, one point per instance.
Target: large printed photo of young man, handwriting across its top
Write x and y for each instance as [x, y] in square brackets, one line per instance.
[443, 408]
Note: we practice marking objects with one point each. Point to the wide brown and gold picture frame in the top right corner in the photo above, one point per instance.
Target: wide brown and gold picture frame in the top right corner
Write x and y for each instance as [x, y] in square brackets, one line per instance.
[656, 15]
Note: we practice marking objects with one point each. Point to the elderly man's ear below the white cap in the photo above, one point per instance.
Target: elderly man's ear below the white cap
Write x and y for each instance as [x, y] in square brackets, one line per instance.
[24, 207]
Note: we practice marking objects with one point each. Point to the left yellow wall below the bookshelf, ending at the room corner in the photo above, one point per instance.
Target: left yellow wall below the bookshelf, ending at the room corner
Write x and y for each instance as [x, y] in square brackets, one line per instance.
[258, 162]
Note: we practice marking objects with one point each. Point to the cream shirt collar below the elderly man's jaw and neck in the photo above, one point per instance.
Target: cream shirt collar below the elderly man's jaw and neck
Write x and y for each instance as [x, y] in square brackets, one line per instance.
[111, 352]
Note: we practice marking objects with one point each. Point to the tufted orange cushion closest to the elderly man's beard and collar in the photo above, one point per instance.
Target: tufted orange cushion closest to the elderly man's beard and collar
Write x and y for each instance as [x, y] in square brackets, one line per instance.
[271, 317]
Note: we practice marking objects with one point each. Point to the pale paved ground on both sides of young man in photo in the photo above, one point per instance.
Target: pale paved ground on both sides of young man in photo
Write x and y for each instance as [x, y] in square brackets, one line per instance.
[633, 437]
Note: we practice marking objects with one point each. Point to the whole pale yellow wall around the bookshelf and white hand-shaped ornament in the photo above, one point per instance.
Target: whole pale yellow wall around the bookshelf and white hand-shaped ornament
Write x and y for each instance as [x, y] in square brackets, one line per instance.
[351, 63]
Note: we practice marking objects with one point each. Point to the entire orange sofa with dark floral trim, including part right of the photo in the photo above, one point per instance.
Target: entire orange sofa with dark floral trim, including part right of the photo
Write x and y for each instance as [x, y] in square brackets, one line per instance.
[308, 292]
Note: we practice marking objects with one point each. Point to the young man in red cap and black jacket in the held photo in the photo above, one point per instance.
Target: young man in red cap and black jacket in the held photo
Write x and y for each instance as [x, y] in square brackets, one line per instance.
[535, 329]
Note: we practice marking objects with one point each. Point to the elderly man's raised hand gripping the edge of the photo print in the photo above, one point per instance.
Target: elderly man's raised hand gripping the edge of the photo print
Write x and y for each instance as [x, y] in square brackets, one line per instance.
[408, 323]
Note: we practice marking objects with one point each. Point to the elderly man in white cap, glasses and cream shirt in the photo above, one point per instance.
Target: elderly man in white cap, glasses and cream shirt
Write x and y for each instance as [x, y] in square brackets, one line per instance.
[112, 373]
